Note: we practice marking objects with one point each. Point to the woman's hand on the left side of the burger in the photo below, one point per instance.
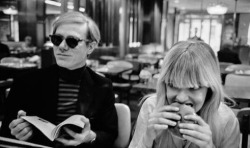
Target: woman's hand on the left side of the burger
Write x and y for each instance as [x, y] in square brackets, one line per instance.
[160, 119]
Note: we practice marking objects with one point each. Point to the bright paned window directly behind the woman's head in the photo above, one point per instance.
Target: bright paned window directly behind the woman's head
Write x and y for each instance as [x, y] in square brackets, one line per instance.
[206, 27]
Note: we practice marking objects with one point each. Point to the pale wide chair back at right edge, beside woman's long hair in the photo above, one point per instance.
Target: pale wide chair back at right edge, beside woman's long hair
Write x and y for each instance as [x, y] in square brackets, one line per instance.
[237, 80]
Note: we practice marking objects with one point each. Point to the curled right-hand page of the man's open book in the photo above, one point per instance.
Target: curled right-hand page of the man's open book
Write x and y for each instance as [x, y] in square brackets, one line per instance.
[72, 120]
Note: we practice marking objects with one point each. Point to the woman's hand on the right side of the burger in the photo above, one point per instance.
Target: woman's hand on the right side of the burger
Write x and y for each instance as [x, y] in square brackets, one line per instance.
[199, 134]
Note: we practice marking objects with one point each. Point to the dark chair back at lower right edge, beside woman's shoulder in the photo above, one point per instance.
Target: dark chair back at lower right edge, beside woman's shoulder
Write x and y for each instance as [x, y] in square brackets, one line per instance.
[243, 116]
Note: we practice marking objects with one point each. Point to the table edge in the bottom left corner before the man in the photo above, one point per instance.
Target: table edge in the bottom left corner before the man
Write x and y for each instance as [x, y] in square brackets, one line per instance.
[7, 142]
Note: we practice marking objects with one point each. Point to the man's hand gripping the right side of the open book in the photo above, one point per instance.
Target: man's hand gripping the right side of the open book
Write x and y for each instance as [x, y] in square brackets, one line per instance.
[86, 136]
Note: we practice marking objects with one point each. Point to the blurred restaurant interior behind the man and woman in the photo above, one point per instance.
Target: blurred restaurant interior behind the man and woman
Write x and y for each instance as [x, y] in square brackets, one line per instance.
[135, 36]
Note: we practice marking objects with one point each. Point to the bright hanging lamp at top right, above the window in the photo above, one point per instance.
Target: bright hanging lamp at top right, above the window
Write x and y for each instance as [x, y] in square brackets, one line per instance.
[217, 9]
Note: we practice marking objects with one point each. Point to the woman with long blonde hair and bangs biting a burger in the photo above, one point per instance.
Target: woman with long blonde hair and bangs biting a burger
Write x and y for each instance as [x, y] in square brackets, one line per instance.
[190, 76]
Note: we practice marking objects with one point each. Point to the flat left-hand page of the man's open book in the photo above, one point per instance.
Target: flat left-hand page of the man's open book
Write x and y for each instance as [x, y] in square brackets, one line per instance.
[43, 125]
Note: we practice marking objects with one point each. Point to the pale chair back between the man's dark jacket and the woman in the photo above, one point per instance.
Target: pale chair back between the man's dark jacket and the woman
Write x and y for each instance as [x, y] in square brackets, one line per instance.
[124, 125]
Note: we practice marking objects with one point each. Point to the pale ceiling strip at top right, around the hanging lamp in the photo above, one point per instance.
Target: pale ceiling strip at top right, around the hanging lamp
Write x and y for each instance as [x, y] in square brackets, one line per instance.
[243, 6]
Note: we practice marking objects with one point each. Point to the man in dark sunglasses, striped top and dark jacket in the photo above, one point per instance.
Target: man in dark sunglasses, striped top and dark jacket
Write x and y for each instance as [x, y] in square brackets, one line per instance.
[65, 89]
